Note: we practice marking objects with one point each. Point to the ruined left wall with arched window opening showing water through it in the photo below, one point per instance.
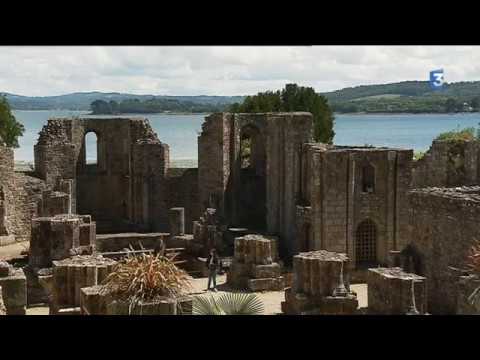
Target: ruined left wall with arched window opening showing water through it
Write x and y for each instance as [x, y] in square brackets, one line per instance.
[126, 190]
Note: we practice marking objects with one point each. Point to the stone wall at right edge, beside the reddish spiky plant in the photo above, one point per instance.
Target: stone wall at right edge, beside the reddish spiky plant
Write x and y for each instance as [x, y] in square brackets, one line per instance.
[443, 227]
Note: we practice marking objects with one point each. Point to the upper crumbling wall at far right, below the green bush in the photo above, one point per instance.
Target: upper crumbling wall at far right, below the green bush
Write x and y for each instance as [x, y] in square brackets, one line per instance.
[448, 163]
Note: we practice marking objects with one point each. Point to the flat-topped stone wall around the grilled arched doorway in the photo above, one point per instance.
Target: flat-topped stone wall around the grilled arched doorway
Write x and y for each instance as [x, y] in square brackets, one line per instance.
[334, 199]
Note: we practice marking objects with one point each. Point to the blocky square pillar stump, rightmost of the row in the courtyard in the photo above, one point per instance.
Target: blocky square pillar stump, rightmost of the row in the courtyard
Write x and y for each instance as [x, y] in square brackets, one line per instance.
[390, 291]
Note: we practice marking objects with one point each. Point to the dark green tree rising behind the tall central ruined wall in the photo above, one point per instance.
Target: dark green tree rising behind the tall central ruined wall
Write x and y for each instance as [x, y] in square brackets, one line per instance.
[293, 98]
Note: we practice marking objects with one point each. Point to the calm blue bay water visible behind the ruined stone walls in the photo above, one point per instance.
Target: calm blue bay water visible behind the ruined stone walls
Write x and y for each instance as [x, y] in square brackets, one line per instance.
[180, 132]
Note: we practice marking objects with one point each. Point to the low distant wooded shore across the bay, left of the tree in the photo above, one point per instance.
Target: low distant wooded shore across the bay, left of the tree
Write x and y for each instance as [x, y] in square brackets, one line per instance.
[82, 100]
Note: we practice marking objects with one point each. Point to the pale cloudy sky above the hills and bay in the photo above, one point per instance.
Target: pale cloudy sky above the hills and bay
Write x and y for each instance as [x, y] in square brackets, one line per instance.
[224, 70]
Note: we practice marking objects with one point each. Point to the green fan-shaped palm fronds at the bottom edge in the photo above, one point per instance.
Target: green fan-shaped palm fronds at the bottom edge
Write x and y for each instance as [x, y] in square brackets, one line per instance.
[228, 304]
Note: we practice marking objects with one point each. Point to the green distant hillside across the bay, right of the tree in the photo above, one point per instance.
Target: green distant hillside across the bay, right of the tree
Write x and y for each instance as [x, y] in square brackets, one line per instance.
[407, 96]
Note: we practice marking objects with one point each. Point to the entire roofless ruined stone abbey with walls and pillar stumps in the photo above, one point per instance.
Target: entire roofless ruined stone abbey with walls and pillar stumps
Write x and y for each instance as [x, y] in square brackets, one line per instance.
[360, 214]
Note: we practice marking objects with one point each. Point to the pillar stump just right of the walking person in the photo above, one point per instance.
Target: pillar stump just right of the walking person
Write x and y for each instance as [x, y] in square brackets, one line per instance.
[255, 264]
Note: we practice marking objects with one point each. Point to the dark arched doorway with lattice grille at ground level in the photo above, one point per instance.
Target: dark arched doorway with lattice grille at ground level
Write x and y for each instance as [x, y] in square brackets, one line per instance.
[366, 244]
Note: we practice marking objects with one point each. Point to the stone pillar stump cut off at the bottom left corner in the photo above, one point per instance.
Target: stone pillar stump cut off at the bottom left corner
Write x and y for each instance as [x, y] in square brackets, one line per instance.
[14, 289]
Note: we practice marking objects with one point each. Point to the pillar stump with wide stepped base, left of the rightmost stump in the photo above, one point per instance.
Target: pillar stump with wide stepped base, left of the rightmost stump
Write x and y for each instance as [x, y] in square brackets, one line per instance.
[318, 285]
